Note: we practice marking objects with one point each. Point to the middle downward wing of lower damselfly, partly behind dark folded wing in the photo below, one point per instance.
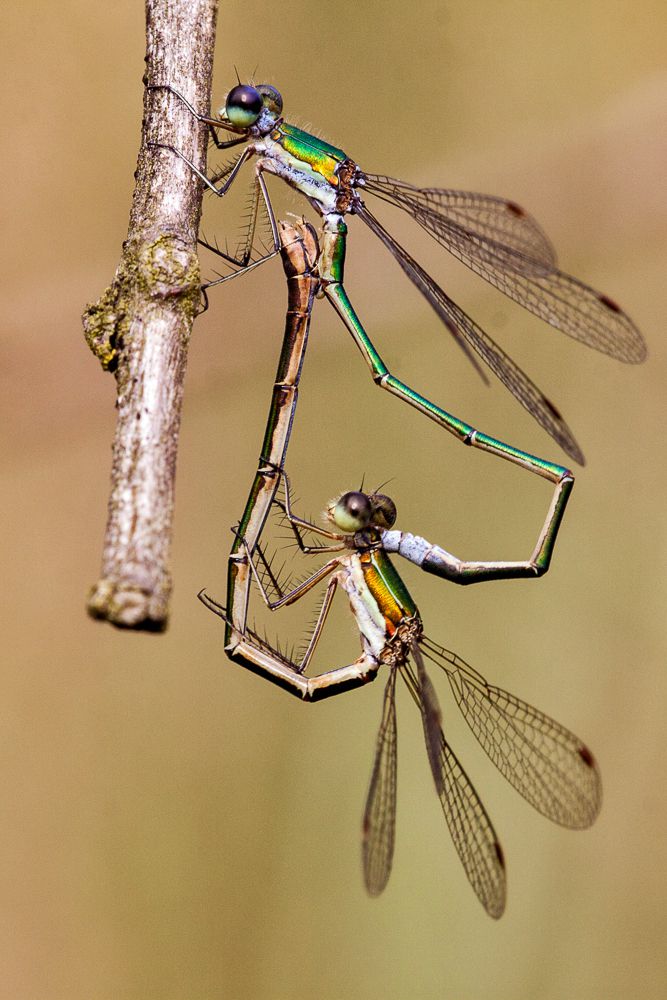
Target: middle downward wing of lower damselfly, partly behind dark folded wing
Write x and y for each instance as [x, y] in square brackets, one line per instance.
[471, 829]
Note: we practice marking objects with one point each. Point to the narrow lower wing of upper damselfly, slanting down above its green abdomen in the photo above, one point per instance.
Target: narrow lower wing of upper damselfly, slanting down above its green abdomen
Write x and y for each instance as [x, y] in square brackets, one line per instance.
[514, 378]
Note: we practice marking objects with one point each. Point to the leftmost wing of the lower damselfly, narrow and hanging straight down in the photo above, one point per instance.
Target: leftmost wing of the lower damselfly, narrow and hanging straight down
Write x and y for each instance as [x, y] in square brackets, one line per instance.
[379, 823]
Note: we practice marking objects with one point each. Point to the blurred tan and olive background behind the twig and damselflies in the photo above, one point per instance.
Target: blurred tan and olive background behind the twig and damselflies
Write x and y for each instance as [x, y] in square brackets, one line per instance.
[174, 828]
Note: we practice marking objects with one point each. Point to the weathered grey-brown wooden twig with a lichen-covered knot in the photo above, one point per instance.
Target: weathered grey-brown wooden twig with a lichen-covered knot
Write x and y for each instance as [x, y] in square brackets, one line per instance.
[140, 327]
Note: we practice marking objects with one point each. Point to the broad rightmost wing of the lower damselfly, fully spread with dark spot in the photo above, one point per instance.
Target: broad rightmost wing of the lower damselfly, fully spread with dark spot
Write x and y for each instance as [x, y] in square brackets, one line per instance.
[545, 762]
